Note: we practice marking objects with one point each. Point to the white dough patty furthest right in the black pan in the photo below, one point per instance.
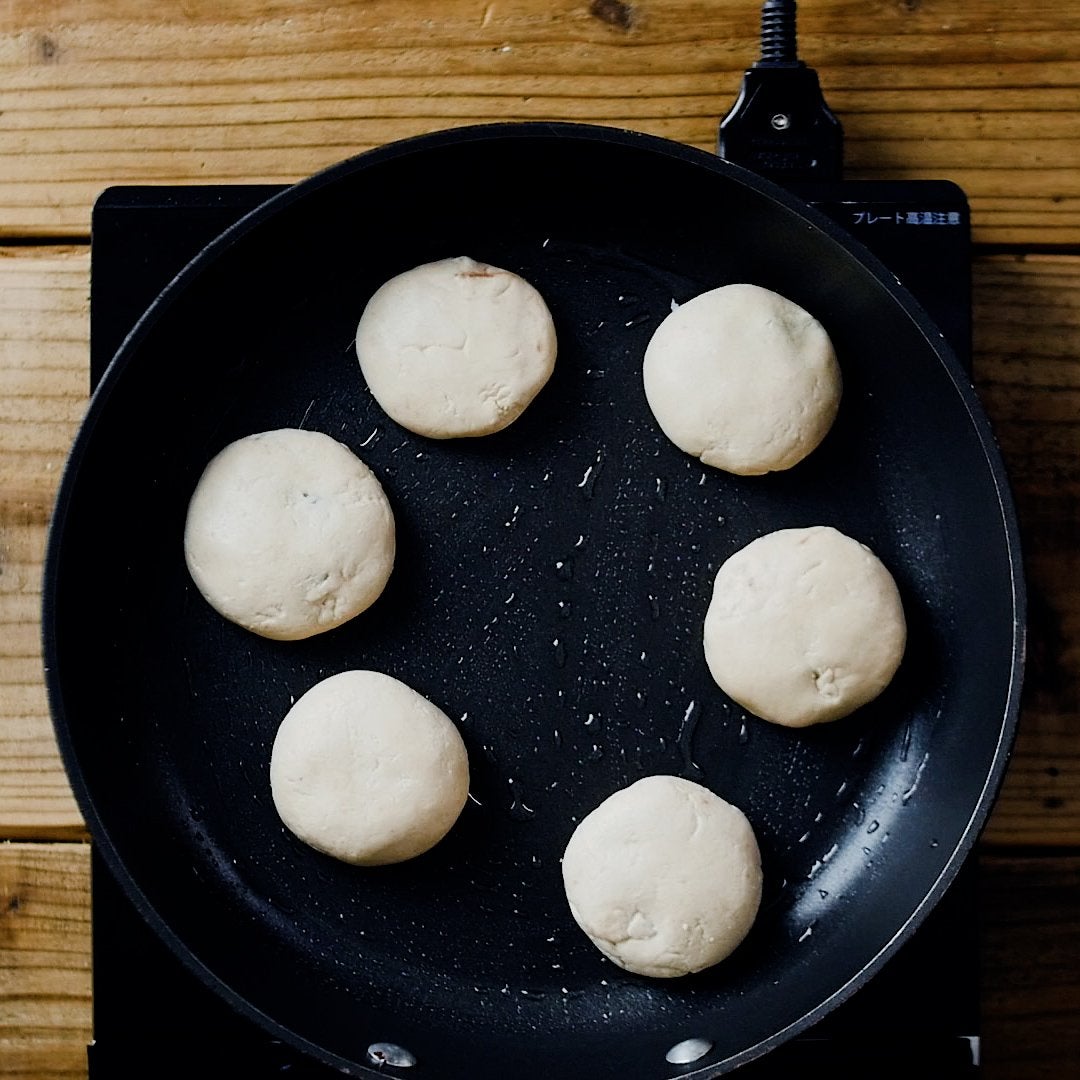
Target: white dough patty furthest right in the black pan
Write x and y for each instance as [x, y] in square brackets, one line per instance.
[805, 626]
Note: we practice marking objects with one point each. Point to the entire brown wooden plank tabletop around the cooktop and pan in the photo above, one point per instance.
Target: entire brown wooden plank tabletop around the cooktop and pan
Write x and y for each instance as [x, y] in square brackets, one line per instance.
[101, 92]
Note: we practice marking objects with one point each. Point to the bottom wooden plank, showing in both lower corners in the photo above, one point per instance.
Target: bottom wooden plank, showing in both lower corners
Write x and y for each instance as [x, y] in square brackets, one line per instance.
[1030, 915]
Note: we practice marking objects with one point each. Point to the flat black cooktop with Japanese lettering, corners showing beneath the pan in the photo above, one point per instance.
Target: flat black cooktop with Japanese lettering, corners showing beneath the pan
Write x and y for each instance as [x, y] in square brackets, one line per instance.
[919, 1018]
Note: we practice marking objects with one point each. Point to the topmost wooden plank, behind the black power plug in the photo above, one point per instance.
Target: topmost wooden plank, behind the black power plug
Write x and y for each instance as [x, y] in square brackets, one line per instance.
[99, 92]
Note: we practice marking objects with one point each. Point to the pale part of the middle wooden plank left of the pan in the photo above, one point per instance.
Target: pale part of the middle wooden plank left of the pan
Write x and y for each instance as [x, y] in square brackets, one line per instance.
[44, 381]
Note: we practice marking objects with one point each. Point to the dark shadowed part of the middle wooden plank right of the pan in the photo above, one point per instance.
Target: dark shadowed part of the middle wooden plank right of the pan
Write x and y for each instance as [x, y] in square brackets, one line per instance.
[1028, 372]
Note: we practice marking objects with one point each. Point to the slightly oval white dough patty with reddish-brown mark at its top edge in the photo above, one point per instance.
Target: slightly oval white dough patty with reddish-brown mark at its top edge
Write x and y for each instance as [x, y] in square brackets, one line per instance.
[456, 348]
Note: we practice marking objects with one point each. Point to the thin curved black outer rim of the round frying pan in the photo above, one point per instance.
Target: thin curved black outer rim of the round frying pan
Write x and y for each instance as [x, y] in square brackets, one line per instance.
[420, 145]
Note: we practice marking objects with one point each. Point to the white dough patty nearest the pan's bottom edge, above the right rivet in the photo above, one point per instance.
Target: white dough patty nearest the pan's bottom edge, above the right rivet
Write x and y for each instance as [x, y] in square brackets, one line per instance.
[665, 877]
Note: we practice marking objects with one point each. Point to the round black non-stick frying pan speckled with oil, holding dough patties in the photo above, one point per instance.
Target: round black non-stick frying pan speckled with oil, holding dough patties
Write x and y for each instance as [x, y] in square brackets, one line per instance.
[549, 596]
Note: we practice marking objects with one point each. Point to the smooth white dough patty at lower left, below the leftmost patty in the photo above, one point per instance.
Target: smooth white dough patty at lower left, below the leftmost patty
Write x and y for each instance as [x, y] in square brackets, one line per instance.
[368, 771]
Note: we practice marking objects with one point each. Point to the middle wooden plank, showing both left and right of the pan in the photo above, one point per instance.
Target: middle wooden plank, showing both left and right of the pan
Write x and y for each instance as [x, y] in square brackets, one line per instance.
[1028, 319]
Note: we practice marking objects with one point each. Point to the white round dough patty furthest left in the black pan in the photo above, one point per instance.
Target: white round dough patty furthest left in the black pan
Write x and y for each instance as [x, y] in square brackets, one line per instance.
[289, 534]
